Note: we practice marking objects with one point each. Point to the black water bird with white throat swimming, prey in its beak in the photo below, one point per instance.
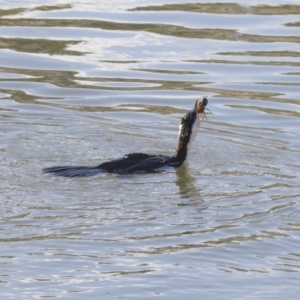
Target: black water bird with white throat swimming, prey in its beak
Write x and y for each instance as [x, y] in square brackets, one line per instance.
[141, 162]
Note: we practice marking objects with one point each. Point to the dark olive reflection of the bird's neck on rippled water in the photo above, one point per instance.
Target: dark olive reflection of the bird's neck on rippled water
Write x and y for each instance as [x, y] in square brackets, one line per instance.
[186, 183]
